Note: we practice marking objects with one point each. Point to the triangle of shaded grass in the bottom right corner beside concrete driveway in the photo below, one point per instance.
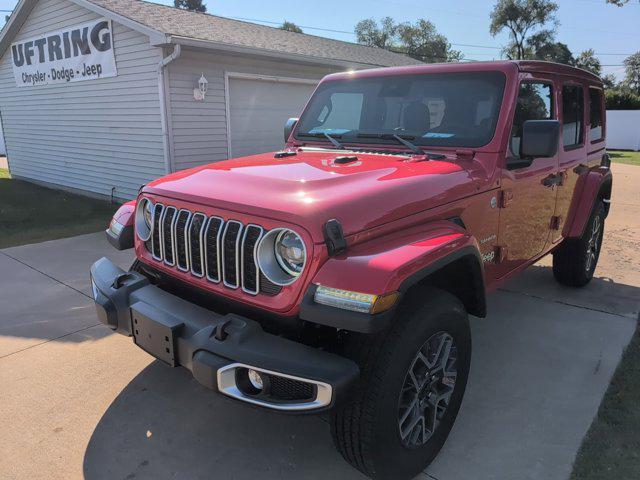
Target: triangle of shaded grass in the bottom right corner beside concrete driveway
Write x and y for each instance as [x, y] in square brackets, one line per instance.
[611, 449]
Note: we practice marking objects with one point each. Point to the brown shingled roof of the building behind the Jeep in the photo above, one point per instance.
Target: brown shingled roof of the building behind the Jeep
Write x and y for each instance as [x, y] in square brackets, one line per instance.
[219, 30]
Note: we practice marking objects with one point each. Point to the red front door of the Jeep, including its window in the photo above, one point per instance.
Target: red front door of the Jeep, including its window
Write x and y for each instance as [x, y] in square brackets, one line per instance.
[528, 189]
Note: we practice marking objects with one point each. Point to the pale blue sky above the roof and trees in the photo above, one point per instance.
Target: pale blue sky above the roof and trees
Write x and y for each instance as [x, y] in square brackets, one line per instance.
[613, 32]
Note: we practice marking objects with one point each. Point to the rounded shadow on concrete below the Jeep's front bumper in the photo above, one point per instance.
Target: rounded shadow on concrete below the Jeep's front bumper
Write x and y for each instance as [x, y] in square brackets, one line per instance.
[166, 425]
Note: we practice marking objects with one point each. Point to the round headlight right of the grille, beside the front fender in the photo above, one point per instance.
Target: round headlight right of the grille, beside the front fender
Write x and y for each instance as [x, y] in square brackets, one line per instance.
[281, 256]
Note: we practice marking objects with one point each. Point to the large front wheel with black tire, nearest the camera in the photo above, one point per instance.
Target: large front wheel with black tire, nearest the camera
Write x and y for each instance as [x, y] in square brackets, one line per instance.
[367, 429]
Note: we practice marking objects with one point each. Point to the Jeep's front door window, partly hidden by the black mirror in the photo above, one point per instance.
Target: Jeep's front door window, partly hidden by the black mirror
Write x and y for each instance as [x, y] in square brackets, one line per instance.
[535, 102]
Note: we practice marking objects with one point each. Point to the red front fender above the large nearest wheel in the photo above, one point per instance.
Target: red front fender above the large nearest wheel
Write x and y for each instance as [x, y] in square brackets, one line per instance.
[401, 260]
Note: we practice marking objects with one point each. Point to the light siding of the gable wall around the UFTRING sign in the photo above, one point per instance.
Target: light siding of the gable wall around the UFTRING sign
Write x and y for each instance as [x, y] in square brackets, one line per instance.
[94, 135]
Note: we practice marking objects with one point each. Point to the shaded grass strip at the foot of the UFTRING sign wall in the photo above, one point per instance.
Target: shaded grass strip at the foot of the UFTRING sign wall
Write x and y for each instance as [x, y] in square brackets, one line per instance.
[30, 213]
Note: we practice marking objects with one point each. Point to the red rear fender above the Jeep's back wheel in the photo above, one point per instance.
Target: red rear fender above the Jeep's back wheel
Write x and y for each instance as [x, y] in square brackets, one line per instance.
[595, 185]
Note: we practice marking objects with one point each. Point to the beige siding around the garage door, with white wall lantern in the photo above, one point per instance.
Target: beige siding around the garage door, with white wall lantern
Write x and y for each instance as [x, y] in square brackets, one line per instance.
[200, 128]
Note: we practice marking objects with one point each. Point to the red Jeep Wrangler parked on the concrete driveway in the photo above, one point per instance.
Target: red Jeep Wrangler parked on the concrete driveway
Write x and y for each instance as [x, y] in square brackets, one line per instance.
[338, 274]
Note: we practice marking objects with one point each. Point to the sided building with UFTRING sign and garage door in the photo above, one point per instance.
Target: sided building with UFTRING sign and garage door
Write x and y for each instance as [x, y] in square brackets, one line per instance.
[102, 96]
